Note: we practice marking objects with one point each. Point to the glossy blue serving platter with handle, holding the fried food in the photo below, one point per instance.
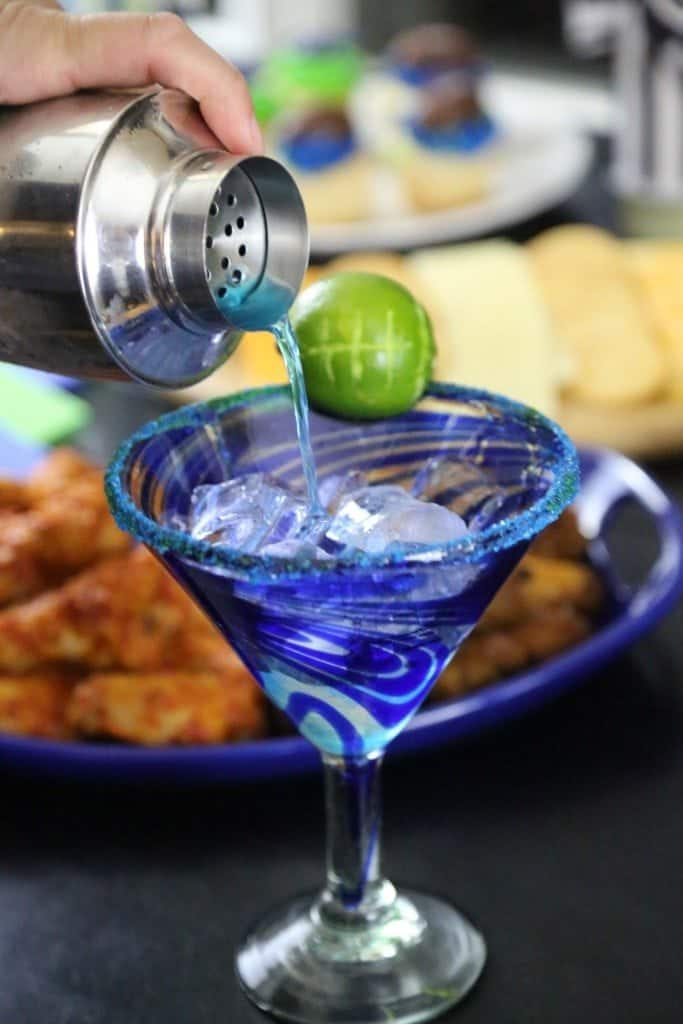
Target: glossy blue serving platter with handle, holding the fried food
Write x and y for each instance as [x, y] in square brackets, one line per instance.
[609, 481]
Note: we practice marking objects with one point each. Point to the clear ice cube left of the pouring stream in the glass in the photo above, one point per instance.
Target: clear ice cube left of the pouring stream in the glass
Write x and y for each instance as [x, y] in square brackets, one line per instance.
[246, 514]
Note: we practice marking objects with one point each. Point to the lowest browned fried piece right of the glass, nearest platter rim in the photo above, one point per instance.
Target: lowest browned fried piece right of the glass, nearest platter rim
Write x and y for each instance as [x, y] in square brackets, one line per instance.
[489, 656]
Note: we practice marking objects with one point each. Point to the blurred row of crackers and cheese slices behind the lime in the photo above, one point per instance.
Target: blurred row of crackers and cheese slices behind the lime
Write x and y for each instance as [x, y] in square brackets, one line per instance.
[577, 323]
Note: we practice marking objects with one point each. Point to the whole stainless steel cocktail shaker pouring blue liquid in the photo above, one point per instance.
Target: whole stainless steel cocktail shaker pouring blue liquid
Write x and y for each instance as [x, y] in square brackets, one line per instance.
[132, 243]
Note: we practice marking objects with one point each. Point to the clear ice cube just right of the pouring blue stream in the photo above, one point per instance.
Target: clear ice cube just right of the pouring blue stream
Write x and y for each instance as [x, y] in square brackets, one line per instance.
[378, 518]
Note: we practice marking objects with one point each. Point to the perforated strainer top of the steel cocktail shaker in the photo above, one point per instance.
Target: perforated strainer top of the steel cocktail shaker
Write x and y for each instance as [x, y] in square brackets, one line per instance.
[182, 246]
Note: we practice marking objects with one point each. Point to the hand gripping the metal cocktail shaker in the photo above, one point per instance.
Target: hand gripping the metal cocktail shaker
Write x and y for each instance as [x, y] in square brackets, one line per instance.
[46, 53]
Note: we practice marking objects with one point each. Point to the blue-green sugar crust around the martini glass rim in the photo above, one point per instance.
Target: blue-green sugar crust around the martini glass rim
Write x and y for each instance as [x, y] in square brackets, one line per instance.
[472, 548]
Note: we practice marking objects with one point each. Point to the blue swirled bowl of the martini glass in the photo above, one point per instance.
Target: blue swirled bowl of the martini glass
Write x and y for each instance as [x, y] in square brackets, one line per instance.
[349, 648]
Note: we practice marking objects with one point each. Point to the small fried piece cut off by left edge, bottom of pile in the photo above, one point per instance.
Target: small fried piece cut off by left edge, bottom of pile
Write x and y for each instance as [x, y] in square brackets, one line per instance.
[35, 705]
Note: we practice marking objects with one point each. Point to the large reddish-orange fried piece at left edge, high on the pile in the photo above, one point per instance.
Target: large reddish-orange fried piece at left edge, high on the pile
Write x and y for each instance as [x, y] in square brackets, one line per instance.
[64, 535]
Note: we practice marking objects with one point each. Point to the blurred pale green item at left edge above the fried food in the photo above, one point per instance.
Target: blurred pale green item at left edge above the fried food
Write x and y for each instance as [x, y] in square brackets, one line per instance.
[37, 411]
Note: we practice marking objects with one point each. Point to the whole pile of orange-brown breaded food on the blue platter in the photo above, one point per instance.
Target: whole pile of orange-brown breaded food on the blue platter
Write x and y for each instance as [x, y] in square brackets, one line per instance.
[99, 643]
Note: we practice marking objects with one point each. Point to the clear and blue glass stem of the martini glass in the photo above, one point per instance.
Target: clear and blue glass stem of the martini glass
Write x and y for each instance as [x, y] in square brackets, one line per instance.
[356, 893]
